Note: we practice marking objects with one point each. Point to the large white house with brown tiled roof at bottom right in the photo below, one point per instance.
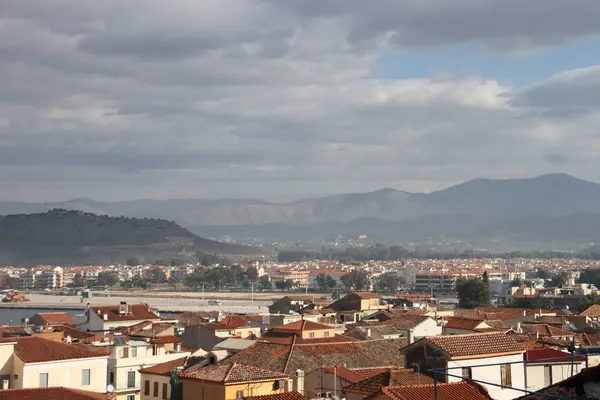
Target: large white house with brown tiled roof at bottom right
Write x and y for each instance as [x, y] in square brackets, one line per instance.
[494, 356]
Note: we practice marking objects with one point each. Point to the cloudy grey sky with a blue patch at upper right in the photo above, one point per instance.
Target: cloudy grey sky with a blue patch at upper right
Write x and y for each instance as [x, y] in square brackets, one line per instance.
[285, 99]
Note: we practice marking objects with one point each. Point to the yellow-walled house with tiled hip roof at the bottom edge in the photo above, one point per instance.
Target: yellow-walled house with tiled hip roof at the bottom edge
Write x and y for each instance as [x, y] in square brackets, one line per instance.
[232, 381]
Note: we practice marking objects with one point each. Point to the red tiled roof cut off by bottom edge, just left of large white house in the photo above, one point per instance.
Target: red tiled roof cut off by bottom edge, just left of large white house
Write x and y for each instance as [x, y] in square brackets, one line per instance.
[463, 390]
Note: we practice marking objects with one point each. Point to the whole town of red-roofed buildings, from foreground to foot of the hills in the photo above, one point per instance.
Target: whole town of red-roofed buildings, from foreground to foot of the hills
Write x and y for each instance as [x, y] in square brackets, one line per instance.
[409, 329]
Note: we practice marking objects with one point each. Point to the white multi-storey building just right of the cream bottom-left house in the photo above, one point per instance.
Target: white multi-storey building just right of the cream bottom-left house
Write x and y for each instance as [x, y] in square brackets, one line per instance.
[128, 357]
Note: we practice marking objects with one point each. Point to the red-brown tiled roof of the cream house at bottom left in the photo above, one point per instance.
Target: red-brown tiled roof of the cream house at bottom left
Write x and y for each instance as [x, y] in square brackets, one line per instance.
[36, 349]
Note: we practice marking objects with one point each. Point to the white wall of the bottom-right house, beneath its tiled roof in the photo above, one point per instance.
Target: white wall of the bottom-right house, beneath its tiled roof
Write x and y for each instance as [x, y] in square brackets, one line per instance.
[492, 374]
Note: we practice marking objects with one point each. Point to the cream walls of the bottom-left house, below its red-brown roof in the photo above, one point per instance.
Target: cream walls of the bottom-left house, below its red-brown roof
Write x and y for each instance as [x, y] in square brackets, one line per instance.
[66, 373]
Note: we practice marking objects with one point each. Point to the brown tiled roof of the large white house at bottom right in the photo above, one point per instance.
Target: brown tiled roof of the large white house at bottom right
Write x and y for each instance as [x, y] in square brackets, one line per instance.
[475, 344]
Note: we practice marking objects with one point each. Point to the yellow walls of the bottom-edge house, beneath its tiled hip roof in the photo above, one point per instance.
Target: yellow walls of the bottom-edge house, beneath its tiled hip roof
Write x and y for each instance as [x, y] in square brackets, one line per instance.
[195, 389]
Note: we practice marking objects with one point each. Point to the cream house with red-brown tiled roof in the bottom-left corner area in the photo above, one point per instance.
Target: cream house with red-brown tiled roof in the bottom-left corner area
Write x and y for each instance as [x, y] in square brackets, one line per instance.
[39, 362]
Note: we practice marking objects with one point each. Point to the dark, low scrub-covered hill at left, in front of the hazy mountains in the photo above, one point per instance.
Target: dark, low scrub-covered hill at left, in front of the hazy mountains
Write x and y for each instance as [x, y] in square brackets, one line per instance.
[68, 237]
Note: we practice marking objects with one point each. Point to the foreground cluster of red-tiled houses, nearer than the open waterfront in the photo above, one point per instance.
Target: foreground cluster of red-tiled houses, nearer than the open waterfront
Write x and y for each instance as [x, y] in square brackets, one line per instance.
[356, 347]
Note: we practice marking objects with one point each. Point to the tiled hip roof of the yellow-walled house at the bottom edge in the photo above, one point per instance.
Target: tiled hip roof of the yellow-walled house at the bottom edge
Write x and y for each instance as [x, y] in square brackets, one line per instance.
[234, 373]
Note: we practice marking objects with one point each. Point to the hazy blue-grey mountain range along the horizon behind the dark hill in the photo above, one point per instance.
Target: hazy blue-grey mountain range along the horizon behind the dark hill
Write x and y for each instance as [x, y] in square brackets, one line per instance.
[545, 210]
